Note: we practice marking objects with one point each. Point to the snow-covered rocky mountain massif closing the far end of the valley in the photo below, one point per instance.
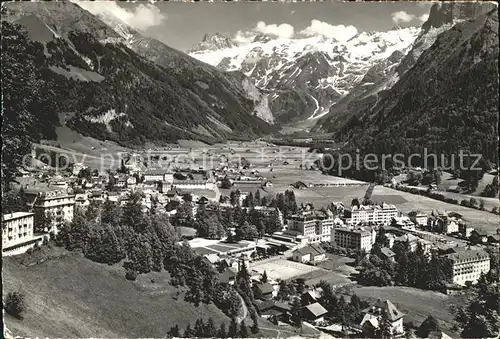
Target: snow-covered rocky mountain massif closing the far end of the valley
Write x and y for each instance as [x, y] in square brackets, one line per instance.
[306, 76]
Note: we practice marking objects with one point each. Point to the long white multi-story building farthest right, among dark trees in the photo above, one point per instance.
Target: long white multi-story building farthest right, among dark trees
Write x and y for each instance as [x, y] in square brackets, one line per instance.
[468, 265]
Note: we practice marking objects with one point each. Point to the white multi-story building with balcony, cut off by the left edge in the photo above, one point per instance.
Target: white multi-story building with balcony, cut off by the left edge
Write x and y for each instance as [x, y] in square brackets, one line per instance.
[17, 233]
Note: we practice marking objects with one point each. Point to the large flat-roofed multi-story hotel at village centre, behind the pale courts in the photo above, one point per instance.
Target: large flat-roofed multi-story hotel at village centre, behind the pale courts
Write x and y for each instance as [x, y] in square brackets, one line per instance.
[316, 226]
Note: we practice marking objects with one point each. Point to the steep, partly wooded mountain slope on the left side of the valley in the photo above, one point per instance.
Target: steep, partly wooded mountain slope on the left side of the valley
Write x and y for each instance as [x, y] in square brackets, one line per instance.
[109, 89]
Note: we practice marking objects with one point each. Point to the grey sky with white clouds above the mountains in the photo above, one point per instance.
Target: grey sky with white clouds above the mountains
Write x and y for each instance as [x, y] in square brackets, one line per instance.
[181, 25]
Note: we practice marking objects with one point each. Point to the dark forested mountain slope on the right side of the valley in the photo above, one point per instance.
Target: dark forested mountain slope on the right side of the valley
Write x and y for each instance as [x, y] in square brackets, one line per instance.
[447, 102]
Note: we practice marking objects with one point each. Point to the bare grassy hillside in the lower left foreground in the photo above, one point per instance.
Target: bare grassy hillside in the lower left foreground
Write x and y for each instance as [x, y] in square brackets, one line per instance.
[73, 297]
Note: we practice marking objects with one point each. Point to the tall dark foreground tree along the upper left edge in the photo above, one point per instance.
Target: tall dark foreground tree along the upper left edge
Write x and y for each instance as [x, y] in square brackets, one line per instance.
[28, 100]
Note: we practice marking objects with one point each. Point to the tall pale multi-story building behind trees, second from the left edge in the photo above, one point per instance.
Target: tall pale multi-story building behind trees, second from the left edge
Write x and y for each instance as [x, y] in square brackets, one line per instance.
[57, 205]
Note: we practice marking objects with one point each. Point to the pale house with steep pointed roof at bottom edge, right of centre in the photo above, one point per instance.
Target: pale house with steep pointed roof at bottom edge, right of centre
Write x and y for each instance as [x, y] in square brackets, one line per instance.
[373, 313]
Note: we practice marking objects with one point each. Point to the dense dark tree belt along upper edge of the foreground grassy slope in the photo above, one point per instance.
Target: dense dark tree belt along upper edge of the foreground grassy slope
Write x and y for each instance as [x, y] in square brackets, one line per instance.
[146, 242]
